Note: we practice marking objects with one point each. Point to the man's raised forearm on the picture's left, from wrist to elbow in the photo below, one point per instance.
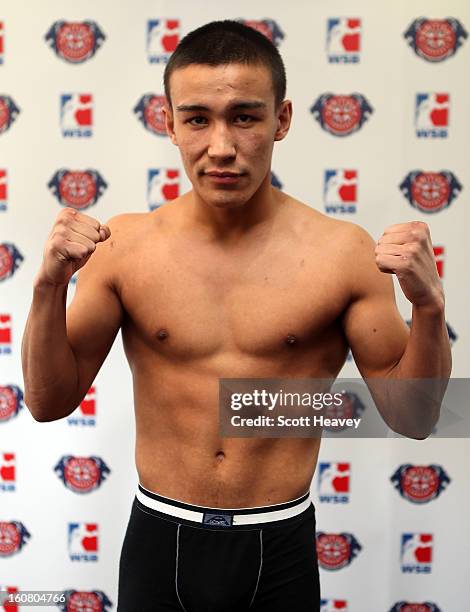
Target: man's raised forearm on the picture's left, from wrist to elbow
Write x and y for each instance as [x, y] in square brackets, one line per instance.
[49, 366]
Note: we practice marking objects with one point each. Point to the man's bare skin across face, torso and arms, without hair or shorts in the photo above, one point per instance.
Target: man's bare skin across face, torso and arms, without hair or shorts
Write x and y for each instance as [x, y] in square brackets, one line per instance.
[231, 280]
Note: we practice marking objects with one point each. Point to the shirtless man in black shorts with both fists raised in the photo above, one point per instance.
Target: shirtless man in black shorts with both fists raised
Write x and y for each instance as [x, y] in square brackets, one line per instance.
[233, 279]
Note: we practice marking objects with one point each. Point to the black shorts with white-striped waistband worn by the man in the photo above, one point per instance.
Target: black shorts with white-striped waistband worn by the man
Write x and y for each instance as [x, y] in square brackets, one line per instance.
[186, 558]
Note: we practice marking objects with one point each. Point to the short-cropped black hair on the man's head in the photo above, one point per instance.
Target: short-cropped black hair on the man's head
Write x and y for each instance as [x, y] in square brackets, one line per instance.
[226, 42]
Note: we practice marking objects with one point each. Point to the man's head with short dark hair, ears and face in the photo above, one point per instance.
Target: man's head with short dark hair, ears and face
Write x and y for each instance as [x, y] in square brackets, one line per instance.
[225, 86]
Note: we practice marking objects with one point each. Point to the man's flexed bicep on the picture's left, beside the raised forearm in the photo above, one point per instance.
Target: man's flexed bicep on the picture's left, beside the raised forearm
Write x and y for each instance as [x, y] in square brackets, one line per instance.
[93, 317]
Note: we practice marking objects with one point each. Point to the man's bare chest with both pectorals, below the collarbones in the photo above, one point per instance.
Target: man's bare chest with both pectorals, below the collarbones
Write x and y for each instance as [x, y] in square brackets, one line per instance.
[190, 304]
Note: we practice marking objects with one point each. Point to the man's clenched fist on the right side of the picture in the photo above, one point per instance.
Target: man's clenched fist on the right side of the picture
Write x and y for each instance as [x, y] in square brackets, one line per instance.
[406, 250]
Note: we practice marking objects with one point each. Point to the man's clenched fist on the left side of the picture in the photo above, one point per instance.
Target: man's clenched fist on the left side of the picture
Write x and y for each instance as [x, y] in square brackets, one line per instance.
[70, 244]
